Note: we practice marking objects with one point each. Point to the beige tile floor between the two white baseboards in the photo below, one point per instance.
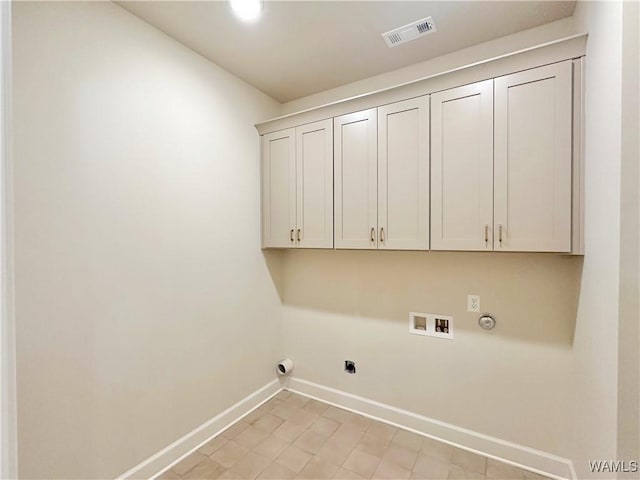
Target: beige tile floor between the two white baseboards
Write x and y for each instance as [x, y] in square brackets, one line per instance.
[293, 437]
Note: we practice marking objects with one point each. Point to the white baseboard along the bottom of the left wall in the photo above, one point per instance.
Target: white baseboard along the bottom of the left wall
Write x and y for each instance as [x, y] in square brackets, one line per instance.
[181, 448]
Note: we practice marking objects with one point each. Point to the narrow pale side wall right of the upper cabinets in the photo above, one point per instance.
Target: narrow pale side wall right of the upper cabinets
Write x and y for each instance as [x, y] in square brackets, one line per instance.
[594, 377]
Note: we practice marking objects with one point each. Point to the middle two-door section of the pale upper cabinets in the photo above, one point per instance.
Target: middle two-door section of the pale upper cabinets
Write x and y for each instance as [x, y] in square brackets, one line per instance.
[382, 177]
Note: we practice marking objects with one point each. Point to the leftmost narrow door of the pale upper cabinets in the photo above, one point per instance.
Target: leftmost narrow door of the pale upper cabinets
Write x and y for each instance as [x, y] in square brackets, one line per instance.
[278, 189]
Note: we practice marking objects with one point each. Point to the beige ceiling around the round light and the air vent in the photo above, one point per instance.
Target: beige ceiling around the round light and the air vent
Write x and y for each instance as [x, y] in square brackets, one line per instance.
[298, 48]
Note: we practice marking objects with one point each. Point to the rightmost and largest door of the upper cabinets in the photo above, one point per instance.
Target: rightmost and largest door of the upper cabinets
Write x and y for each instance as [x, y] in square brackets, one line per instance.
[533, 160]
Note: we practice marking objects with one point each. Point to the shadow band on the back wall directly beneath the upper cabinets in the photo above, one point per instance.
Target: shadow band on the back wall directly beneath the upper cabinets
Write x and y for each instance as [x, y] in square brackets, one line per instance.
[534, 297]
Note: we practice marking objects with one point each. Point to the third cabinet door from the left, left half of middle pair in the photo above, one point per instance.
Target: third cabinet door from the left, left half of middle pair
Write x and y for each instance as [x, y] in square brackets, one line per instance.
[355, 185]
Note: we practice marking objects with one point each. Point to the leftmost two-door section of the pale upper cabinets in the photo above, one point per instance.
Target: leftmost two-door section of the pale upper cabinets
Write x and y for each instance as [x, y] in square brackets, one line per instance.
[297, 187]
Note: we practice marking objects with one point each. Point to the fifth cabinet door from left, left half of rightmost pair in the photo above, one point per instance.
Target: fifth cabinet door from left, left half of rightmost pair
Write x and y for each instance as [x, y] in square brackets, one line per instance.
[462, 168]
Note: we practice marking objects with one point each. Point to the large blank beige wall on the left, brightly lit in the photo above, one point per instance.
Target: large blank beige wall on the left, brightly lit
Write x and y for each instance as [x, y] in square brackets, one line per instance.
[144, 303]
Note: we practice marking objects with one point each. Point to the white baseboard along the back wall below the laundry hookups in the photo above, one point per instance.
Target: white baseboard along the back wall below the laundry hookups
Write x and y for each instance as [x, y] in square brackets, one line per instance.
[527, 458]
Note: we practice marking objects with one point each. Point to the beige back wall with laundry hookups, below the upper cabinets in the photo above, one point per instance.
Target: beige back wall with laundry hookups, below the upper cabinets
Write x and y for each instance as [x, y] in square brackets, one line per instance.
[510, 383]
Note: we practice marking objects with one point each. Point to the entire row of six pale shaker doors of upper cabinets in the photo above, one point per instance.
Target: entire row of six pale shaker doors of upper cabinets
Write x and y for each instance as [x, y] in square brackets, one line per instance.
[489, 166]
